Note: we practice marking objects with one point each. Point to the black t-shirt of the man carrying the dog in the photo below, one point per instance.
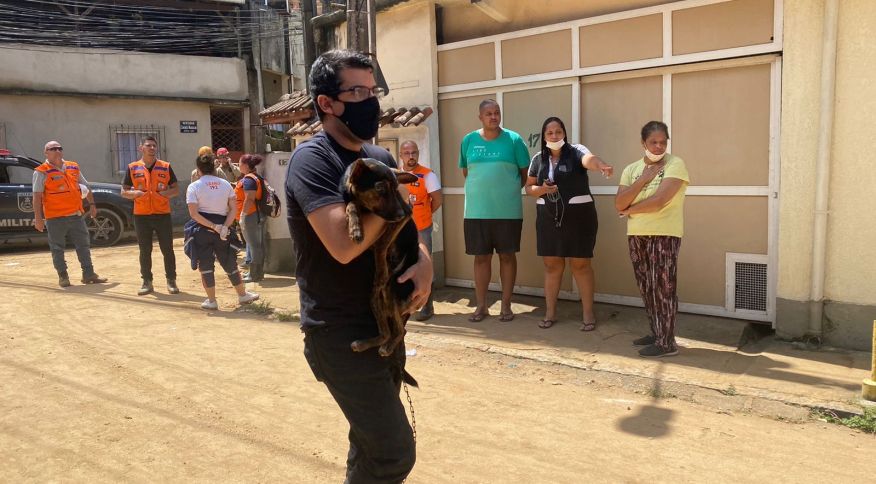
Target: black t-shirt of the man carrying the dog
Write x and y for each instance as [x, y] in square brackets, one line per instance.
[331, 293]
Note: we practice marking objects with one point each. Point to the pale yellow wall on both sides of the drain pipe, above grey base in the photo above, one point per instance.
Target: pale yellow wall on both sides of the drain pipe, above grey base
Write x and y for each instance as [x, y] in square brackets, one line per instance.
[849, 269]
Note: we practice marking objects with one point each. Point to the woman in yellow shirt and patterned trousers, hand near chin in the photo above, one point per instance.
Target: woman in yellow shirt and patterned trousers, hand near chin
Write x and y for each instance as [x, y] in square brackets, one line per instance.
[651, 196]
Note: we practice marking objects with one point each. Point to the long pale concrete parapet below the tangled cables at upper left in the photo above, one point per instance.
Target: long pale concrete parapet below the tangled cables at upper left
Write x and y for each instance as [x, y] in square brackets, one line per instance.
[93, 71]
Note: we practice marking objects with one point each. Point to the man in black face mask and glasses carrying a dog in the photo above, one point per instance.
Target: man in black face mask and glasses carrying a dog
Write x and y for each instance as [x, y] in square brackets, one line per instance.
[335, 274]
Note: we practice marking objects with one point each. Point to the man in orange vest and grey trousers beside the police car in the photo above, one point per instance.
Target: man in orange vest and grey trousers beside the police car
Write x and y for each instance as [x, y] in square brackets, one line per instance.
[57, 208]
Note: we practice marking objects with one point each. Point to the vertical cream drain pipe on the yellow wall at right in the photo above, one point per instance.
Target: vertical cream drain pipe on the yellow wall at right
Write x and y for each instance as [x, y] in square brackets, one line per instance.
[822, 167]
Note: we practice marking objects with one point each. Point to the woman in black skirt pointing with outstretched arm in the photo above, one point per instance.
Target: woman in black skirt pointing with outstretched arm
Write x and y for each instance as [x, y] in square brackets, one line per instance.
[565, 221]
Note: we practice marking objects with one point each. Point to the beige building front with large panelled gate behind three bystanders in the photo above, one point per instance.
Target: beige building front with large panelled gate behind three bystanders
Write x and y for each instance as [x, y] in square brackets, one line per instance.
[767, 102]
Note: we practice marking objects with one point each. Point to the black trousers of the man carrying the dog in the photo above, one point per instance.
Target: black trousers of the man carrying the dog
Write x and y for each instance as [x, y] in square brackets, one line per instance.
[366, 388]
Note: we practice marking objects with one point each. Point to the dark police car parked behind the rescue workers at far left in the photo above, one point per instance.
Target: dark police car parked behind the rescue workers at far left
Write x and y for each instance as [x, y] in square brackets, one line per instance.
[16, 205]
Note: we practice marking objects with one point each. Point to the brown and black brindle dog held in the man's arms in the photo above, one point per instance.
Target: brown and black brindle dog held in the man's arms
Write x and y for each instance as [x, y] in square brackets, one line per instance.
[371, 186]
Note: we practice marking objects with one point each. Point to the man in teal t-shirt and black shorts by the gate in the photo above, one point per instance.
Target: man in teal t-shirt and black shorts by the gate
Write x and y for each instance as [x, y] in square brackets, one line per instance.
[494, 161]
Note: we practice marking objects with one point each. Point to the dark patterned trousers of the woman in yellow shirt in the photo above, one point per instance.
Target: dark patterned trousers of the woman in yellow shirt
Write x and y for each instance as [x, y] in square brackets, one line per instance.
[655, 264]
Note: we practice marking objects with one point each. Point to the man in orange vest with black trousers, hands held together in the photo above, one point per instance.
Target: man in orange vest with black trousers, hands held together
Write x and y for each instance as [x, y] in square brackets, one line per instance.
[151, 183]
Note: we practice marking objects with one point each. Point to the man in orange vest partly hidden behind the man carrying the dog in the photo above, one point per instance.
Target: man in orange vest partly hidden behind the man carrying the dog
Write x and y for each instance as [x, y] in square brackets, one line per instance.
[425, 198]
